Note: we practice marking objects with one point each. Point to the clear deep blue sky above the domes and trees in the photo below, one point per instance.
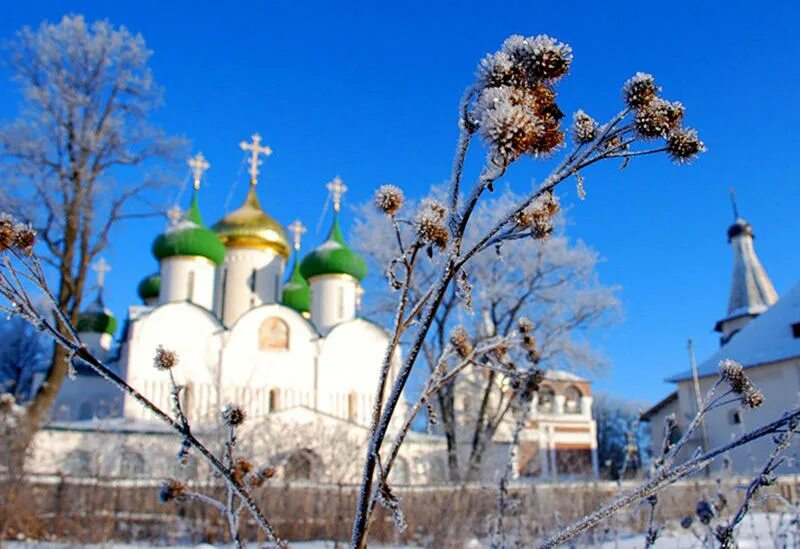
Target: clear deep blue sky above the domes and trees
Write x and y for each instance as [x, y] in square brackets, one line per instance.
[370, 92]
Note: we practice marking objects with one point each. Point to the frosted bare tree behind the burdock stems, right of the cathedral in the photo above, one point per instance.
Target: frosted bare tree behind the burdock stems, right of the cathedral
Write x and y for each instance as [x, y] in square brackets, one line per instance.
[552, 282]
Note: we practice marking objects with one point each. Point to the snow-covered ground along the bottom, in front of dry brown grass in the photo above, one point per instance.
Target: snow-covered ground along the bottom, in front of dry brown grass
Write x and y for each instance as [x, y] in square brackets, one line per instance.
[757, 531]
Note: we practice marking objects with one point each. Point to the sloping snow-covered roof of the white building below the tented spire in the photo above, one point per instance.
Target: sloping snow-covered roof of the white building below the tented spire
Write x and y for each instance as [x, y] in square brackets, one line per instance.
[767, 338]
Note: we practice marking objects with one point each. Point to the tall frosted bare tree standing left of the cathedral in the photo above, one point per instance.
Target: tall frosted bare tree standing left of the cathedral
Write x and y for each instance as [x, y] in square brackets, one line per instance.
[79, 153]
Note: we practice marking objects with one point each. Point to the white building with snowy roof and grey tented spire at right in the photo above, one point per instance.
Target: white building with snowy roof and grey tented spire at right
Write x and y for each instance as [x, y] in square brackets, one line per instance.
[760, 331]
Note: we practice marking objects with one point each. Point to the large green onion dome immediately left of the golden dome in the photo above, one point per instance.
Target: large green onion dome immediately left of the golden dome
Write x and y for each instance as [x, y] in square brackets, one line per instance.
[190, 237]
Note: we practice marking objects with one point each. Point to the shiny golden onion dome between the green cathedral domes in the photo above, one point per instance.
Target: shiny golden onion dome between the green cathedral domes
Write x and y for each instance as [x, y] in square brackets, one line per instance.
[251, 227]
